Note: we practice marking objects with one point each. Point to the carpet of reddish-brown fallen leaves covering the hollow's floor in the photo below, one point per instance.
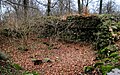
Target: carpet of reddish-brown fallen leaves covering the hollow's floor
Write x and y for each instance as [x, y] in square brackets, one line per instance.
[66, 58]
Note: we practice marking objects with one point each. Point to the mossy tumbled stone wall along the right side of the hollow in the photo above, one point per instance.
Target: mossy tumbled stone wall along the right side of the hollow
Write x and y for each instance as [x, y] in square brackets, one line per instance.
[108, 55]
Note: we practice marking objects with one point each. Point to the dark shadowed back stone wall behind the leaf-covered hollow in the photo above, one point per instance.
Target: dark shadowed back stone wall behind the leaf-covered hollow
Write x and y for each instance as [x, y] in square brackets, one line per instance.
[73, 29]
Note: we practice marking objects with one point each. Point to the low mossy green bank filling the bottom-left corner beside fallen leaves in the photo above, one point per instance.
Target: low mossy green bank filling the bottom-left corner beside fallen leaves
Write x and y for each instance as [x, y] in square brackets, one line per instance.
[7, 68]
